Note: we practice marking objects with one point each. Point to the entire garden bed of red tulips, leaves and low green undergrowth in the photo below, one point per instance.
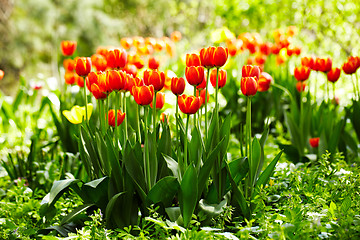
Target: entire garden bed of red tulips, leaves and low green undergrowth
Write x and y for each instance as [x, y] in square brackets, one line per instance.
[247, 136]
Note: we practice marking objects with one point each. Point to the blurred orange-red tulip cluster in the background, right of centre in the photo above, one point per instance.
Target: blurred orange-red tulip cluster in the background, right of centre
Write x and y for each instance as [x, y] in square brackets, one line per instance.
[259, 51]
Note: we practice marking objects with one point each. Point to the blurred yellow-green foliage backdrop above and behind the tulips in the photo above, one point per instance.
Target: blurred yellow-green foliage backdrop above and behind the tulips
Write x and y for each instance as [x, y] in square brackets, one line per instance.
[31, 31]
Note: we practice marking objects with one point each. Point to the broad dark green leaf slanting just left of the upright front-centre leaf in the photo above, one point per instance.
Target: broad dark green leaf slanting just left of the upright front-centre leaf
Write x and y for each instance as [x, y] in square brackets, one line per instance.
[164, 191]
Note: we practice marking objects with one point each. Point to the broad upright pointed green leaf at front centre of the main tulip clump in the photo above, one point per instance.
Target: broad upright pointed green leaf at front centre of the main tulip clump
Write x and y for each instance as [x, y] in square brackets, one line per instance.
[188, 193]
